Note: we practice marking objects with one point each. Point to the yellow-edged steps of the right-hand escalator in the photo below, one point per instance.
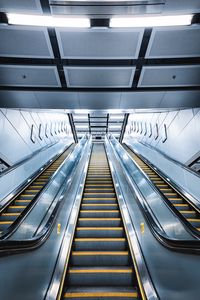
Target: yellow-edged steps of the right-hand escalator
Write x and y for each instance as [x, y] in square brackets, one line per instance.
[183, 206]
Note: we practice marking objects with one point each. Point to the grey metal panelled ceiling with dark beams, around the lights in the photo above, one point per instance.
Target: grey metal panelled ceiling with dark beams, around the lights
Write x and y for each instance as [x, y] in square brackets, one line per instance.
[100, 68]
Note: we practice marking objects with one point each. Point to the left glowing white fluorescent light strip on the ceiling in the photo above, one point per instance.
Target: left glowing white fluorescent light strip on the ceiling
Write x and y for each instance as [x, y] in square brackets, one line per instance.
[47, 21]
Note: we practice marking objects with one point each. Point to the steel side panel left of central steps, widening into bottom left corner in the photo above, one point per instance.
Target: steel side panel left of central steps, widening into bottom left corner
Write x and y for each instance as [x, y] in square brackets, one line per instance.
[28, 274]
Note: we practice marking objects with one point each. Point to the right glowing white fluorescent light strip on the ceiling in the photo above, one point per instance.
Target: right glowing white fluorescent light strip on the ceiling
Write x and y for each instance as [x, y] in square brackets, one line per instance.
[178, 20]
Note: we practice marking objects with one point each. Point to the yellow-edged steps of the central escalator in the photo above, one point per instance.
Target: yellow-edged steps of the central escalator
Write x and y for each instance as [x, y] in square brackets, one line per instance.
[100, 264]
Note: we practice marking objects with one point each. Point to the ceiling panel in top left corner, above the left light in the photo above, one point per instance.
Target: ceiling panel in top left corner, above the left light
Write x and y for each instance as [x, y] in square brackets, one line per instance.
[20, 6]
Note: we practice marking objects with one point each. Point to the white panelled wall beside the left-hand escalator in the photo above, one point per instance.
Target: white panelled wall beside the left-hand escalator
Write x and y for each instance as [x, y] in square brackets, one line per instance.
[15, 132]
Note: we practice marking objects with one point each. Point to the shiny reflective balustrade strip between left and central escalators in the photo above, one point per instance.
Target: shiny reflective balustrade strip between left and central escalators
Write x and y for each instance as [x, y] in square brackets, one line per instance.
[50, 195]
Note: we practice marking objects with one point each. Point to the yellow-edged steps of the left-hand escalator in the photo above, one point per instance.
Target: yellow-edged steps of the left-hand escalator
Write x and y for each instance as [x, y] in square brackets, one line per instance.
[22, 202]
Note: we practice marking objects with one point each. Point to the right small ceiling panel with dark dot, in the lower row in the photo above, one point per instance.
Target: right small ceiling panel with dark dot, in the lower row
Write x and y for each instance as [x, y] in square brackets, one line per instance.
[170, 76]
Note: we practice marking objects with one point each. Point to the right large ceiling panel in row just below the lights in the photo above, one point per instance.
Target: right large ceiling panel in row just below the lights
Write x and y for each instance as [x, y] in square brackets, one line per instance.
[171, 42]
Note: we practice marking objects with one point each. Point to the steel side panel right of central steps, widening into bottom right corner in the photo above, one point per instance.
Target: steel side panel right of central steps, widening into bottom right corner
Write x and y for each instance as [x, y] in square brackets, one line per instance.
[175, 276]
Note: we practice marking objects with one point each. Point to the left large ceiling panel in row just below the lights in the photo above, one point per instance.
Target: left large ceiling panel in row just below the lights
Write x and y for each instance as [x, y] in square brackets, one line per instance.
[23, 41]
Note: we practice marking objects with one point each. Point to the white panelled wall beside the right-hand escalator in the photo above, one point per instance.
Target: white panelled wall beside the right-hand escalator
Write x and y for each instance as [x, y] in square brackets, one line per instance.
[183, 132]
